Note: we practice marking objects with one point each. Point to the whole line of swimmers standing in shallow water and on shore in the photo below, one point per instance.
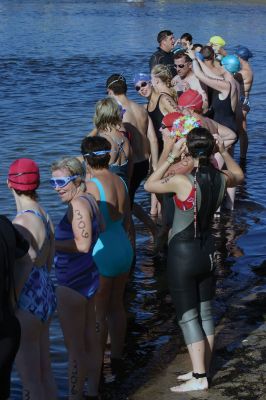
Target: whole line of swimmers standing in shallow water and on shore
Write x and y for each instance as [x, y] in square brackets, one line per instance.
[184, 136]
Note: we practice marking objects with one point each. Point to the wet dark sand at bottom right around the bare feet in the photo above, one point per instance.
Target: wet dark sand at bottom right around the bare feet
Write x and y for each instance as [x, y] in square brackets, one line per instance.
[239, 365]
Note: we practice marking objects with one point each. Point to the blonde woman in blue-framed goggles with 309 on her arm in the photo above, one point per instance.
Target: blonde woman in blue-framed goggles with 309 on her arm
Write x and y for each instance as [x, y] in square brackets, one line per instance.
[77, 276]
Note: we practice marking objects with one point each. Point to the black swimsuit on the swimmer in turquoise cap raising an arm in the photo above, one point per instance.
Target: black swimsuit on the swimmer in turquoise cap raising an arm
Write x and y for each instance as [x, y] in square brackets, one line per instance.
[222, 110]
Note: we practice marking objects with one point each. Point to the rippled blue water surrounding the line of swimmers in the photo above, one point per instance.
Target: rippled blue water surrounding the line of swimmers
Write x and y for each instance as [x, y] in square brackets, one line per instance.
[54, 59]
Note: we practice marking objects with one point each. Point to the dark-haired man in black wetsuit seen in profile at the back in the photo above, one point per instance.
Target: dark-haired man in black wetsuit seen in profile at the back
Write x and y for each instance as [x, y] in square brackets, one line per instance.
[164, 54]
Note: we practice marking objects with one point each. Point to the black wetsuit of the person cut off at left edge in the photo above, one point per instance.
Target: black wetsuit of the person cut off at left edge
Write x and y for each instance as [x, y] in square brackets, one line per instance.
[12, 247]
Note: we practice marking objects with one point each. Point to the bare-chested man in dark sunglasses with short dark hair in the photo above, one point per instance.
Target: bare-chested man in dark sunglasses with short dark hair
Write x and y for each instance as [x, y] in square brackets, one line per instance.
[183, 66]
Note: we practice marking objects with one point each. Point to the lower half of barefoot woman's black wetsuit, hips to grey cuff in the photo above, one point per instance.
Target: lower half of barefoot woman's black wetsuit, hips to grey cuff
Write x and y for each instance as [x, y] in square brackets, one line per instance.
[191, 282]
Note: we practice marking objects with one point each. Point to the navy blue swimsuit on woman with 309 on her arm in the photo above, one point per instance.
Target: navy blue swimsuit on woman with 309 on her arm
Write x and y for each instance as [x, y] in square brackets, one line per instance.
[77, 270]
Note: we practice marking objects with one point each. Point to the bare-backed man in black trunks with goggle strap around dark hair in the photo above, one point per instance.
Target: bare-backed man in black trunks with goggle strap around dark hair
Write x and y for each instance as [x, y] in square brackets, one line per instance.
[135, 121]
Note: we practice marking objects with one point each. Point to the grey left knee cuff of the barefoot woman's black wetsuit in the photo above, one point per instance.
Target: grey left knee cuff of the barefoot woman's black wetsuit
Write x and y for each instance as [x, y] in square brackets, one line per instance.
[191, 326]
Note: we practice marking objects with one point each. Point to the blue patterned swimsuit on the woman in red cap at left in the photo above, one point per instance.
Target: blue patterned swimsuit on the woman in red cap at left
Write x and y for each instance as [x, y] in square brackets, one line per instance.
[38, 294]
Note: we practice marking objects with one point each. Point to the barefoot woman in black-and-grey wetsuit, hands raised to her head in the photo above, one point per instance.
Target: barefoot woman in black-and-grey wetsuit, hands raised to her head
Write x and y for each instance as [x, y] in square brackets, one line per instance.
[191, 248]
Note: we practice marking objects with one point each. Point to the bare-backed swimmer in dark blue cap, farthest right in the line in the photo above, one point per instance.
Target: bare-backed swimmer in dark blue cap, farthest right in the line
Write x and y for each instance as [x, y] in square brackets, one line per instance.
[245, 78]
